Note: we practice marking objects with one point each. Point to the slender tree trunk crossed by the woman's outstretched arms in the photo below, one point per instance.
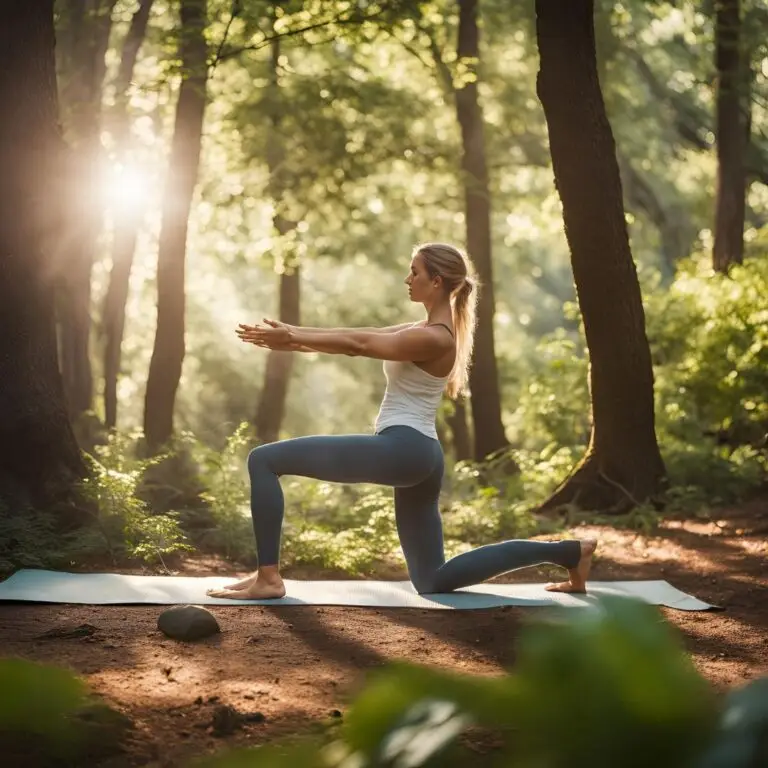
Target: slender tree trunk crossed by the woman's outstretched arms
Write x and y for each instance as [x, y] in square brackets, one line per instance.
[274, 394]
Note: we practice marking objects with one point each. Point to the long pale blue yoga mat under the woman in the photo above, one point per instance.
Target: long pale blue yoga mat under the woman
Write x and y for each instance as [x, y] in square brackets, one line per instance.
[115, 589]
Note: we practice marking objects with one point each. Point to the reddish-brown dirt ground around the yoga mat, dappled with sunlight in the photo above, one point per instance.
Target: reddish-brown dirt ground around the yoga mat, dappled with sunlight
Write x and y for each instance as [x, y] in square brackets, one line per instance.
[299, 667]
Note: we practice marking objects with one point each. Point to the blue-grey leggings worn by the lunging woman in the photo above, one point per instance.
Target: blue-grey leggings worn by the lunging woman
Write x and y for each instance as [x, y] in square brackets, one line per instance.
[410, 462]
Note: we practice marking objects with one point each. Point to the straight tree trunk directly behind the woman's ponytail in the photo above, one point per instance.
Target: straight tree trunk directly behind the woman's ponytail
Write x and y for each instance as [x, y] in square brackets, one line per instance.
[483, 377]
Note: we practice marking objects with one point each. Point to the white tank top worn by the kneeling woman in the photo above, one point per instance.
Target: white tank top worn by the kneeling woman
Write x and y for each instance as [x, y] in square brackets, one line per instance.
[411, 398]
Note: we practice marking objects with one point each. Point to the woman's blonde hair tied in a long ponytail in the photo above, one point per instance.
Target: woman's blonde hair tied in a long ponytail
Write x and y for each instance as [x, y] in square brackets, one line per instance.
[458, 275]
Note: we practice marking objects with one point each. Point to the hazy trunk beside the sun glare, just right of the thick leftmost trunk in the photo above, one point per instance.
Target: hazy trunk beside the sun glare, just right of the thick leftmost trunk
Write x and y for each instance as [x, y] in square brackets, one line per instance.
[86, 25]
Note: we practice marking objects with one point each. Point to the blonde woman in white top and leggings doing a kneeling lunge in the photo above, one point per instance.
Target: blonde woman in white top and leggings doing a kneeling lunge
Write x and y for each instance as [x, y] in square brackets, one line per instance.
[421, 361]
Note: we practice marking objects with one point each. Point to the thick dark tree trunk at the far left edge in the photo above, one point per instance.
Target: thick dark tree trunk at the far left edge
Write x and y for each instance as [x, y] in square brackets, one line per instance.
[39, 458]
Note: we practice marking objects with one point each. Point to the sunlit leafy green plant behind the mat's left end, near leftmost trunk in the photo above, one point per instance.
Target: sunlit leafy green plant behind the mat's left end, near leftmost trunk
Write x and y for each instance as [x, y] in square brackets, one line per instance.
[123, 522]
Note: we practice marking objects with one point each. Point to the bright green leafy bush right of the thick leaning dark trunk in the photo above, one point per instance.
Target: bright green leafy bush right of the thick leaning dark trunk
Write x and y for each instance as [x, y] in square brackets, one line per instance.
[709, 341]
